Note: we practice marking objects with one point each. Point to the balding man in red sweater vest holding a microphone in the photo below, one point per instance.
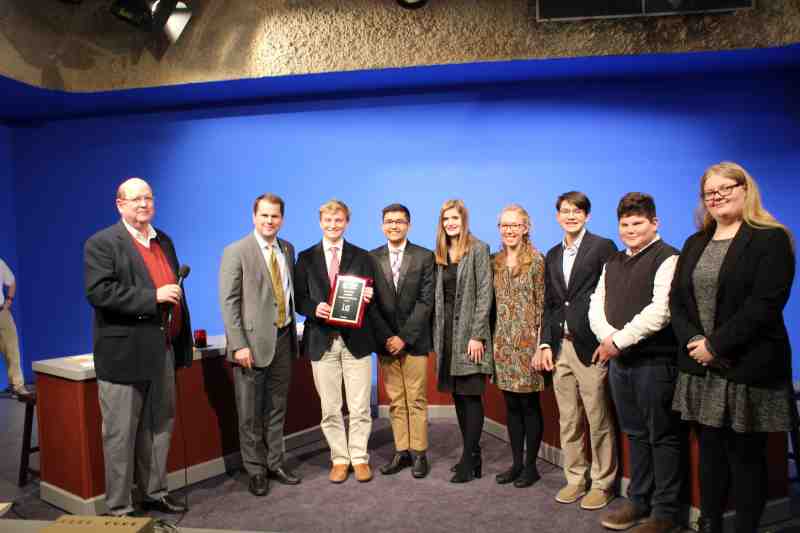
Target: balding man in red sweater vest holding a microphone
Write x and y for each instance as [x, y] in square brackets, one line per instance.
[141, 334]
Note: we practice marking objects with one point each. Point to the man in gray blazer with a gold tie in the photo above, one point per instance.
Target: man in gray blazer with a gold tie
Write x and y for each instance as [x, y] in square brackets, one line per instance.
[256, 296]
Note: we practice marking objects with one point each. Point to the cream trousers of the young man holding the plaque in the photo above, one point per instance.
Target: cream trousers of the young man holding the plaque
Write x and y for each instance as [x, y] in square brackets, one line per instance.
[338, 366]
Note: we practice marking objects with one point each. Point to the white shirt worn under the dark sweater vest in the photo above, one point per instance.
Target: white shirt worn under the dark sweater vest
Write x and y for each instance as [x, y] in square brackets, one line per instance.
[651, 319]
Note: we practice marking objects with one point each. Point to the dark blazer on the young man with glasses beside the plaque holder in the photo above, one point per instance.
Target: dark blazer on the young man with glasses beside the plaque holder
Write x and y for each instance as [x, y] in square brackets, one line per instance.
[405, 311]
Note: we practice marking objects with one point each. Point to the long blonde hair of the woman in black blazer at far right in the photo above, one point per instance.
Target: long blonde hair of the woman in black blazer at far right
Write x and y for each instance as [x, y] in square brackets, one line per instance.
[753, 213]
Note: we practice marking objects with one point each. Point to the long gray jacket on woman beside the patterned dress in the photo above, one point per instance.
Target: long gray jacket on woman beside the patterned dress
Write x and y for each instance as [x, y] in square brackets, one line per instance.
[474, 296]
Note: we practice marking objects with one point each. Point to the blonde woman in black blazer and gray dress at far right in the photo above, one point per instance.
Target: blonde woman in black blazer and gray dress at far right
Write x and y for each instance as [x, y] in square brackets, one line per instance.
[731, 284]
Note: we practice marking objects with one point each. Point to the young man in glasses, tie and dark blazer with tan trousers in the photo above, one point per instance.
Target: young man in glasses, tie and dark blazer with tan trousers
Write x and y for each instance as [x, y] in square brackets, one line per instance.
[404, 286]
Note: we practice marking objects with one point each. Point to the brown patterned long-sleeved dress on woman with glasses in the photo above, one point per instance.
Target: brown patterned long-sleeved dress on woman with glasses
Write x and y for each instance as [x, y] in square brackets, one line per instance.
[519, 298]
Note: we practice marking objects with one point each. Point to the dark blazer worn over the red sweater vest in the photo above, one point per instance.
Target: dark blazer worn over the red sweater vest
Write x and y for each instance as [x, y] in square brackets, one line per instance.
[128, 334]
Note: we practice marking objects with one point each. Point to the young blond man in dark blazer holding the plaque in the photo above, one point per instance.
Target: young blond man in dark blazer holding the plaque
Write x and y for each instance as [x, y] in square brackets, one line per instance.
[339, 338]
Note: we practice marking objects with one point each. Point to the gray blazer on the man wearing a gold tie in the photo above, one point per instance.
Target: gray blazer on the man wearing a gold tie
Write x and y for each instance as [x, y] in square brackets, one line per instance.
[246, 298]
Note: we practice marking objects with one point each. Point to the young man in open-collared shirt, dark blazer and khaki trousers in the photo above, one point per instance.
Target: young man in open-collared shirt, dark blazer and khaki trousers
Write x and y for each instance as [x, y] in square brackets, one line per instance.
[572, 269]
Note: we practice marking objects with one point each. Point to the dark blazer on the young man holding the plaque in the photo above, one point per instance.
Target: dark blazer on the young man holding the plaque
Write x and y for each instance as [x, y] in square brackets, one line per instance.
[312, 286]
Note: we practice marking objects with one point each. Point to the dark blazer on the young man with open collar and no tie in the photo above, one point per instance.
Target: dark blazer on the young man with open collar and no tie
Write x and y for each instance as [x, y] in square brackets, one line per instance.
[572, 303]
